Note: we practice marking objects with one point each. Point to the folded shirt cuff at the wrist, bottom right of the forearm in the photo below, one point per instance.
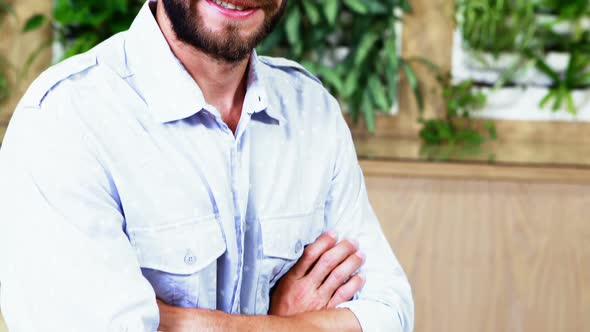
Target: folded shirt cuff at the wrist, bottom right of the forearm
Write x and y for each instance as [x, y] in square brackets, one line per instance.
[374, 316]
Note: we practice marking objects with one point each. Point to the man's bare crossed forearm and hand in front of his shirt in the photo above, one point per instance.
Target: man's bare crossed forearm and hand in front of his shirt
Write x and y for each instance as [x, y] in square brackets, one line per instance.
[304, 299]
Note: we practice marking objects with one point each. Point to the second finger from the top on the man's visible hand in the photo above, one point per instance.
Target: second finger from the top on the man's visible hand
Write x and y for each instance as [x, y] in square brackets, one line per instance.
[330, 260]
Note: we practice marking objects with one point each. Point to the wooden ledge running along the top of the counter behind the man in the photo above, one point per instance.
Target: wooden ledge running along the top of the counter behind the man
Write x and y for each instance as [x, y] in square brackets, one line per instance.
[381, 156]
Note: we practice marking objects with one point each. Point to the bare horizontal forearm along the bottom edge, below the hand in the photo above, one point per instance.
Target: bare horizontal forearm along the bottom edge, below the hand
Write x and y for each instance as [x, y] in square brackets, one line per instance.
[178, 319]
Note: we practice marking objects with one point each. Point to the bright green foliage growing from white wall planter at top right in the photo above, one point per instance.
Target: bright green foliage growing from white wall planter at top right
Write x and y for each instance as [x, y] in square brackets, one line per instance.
[516, 27]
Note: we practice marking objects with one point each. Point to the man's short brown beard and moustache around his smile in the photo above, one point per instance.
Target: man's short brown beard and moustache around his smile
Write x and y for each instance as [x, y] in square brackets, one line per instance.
[231, 47]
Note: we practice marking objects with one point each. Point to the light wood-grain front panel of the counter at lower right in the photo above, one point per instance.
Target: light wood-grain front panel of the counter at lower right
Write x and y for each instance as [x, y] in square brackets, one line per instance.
[490, 256]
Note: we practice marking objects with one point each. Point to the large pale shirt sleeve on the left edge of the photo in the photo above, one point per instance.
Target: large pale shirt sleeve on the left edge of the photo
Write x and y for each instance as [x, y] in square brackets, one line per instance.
[65, 261]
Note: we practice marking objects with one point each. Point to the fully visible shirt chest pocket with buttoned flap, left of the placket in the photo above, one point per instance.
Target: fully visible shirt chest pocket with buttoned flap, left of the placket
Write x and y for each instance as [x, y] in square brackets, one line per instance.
[180, 260]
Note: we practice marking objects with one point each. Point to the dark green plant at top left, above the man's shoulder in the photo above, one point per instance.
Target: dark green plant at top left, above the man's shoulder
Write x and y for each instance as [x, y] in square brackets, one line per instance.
[81, 24]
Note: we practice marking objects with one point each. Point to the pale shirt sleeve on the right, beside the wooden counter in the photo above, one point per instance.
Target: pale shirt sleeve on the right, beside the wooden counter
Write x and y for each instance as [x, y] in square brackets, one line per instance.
[385, 303]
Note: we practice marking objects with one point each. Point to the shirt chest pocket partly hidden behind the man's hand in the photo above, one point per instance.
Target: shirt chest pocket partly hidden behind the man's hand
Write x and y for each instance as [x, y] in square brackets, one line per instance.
[283, 242]
